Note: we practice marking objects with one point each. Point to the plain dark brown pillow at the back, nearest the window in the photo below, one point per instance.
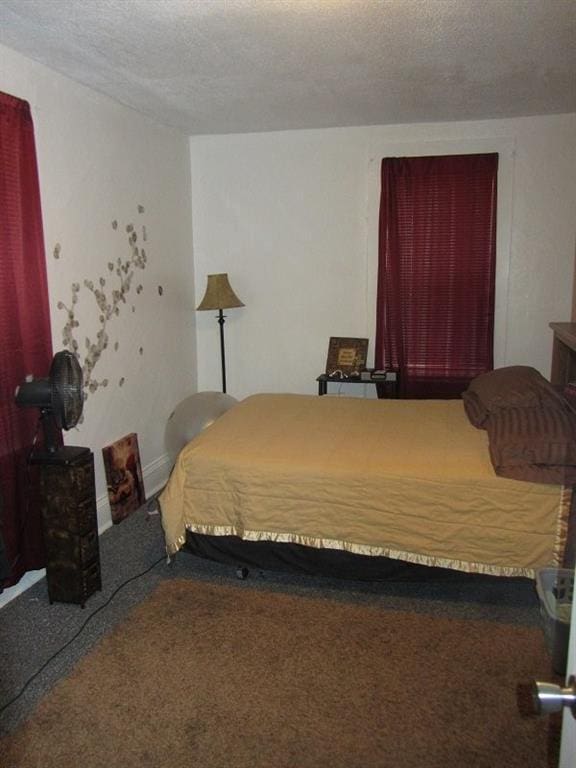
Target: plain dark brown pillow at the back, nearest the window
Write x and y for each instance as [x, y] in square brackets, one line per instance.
[515, 386]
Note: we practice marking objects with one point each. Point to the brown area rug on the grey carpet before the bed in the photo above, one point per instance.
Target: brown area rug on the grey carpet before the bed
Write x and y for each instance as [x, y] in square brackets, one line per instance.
[207, 676]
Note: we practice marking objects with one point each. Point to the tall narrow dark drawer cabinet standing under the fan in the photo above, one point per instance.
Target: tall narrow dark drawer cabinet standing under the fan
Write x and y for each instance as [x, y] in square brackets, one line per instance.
[68, 502]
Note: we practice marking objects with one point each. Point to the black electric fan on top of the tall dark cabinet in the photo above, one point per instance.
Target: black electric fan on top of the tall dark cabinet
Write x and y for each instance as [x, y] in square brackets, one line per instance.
[59, 397]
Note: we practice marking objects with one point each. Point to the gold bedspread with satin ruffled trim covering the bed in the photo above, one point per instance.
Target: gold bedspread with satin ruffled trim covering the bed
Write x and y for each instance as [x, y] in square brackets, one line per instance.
[404, 479]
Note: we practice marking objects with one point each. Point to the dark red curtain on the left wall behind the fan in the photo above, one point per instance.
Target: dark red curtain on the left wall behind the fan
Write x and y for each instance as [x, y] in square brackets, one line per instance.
[25, 339]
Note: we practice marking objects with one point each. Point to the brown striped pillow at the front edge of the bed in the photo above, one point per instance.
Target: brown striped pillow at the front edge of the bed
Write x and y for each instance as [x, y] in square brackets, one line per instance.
[535, 444]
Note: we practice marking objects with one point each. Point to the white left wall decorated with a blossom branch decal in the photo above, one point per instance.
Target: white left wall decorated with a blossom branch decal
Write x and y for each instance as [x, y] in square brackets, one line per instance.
[98, 162]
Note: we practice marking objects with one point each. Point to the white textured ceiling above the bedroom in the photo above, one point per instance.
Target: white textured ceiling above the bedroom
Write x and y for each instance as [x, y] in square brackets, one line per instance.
[221, 66]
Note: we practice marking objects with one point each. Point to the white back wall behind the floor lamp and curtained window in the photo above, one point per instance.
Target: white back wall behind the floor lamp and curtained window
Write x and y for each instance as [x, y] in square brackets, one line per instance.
[292, 217]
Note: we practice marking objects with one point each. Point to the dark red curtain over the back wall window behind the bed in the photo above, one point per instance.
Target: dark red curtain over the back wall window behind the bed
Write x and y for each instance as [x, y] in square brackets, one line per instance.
[436, 271]
